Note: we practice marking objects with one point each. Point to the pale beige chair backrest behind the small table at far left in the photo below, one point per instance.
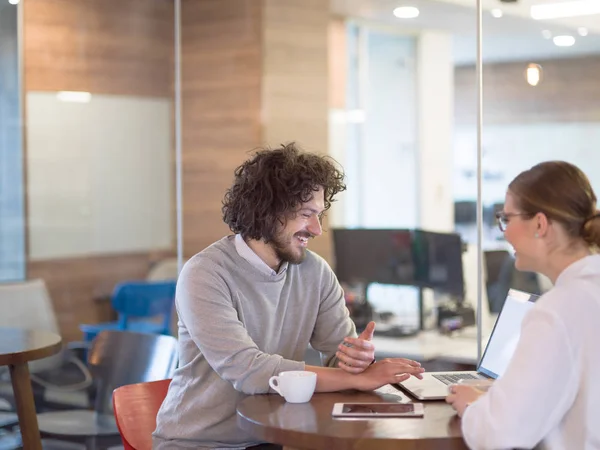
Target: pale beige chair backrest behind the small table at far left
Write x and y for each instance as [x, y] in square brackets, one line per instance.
[27, 305]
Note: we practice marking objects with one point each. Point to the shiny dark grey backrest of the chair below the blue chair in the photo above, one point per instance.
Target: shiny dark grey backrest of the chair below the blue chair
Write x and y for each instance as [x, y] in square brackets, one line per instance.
[118, 358]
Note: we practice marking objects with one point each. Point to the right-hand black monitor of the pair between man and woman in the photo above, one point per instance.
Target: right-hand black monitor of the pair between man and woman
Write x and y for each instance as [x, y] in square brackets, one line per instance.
[438, 262]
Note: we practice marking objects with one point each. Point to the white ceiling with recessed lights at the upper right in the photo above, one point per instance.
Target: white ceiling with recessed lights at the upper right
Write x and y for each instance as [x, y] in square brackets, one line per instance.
[514, 37]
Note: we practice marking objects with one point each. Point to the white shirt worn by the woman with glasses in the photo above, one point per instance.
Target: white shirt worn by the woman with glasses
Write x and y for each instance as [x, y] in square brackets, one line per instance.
[550, 392]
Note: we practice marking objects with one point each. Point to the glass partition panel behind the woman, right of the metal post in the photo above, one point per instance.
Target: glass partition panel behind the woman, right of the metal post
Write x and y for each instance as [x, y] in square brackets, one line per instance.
[540, 103]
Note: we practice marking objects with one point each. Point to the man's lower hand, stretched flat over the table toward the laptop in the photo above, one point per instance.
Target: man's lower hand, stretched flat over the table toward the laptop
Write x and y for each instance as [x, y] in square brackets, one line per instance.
[387, 371]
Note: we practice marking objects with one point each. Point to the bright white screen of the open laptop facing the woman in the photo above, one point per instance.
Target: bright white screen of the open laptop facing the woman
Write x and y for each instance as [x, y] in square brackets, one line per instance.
[505, 336]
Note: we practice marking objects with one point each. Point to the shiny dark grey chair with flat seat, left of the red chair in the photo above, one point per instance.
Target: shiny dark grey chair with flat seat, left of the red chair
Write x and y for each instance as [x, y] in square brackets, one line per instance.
[116, 358]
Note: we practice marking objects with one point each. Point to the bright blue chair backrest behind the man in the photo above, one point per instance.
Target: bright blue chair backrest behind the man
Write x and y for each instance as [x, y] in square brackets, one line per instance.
[135, 299]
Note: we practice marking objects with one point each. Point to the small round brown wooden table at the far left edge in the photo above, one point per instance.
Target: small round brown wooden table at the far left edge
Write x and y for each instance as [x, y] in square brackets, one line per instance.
[17, 348]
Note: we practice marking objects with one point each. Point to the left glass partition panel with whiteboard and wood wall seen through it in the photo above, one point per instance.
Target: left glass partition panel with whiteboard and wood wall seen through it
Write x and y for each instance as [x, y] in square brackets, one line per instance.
[88, 179]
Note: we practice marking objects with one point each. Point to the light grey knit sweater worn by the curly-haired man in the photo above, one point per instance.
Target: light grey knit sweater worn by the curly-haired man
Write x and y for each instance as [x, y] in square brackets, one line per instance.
[237, 327]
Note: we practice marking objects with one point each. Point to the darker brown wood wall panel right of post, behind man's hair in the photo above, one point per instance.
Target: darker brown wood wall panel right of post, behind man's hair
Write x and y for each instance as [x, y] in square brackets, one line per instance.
[221, 85]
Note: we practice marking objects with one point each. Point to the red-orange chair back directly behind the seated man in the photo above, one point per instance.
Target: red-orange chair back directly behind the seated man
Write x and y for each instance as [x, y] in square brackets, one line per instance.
[136, 407]
